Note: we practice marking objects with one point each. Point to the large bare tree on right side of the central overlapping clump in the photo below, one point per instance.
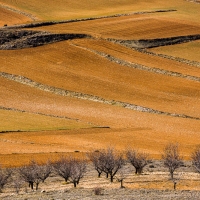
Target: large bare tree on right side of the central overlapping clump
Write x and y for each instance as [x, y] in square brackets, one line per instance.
[111, 162]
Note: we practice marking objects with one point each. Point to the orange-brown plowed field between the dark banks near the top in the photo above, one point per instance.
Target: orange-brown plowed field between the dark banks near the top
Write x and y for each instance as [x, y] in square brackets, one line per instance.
[132, 27]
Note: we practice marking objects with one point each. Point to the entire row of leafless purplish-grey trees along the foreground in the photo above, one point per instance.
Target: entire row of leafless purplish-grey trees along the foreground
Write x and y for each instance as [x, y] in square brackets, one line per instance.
[107, 161]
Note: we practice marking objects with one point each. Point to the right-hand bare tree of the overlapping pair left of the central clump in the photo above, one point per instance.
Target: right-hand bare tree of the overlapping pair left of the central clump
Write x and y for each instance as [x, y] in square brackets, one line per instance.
[77, 171]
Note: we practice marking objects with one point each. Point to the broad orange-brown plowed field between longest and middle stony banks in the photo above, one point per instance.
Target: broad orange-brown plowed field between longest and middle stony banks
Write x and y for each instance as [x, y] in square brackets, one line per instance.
[60, 66]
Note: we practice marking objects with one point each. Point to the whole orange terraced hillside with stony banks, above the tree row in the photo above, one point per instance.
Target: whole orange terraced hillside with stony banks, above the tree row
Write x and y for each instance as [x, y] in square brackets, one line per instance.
[65, 93]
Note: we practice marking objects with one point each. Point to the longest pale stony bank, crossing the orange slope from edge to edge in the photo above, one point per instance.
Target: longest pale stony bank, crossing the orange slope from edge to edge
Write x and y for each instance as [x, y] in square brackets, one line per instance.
[79, 95]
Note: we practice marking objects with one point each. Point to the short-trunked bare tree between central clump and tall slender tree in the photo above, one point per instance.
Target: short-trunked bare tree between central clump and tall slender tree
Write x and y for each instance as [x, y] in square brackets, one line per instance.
[137, 159]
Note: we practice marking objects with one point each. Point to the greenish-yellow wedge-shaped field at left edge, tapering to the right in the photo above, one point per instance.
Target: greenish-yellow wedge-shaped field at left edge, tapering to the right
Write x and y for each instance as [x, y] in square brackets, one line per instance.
[12, 120]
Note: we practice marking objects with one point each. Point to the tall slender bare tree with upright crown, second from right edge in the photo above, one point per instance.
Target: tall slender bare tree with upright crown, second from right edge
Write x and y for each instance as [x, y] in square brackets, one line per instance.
[172, 158]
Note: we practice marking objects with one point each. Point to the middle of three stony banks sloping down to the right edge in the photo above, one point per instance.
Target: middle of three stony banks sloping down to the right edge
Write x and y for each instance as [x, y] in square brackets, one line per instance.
[139, 66]
